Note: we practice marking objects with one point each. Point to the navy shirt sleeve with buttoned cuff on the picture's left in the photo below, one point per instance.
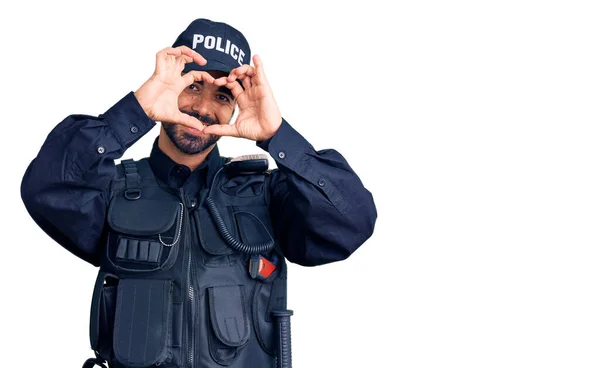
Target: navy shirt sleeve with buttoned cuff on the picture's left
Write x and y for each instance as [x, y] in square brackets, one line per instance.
[65, 187]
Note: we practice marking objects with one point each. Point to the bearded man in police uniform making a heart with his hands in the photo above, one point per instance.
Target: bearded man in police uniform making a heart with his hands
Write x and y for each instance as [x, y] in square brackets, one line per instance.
[227, 223]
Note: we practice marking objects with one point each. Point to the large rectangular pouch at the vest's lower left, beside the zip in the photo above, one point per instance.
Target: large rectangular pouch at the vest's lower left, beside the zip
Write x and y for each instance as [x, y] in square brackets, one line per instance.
[143, 326]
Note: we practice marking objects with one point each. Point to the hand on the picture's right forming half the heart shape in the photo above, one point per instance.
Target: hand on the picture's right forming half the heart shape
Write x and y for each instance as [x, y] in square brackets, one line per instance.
[259, 116]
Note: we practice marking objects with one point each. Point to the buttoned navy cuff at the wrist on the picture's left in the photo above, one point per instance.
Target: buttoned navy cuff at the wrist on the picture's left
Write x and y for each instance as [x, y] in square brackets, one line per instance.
[128, 120]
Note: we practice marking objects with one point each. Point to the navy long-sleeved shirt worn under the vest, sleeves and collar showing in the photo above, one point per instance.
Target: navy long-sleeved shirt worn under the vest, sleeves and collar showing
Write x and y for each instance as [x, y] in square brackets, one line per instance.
[321, 212]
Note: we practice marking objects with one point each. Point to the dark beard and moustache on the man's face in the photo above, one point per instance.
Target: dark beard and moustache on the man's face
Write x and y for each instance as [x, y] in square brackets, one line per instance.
[189, 143]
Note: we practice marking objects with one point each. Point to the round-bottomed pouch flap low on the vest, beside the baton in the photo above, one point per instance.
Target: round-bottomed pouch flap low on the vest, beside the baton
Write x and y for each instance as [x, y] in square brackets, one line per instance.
[229, 315]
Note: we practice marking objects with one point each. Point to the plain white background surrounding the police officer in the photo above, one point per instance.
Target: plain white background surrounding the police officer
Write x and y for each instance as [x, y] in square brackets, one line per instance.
[475, 124]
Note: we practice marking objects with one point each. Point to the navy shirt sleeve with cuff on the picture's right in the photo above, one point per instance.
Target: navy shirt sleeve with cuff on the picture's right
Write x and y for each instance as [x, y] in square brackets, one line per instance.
[320, 210]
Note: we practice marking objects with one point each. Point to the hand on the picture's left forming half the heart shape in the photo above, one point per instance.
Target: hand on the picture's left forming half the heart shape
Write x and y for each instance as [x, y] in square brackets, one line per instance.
[159, 95]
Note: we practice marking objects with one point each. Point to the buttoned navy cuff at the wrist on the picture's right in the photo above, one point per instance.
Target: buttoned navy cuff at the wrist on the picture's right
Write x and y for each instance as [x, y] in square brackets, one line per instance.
[286, 146]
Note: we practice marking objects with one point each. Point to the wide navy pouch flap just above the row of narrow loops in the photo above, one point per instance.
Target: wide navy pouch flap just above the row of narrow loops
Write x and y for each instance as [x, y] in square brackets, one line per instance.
[142, 216]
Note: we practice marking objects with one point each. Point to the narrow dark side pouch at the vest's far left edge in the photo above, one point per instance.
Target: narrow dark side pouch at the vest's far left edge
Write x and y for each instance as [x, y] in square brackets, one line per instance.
[103, 314]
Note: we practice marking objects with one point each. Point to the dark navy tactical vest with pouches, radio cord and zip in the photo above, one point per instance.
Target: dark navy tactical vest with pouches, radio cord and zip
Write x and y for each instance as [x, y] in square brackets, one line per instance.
[190, 281]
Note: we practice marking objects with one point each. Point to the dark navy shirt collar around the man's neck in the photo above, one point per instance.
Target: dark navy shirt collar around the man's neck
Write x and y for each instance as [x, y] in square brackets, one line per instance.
[176, 175]
